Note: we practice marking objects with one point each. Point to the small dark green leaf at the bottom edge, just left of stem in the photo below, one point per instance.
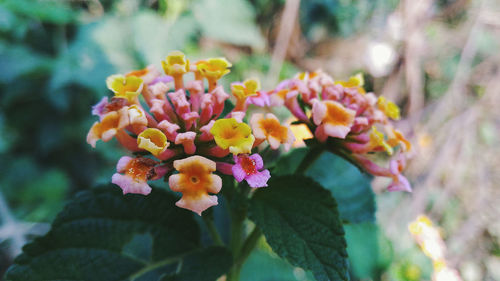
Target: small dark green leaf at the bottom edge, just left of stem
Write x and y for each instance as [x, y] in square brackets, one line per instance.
[206, 265]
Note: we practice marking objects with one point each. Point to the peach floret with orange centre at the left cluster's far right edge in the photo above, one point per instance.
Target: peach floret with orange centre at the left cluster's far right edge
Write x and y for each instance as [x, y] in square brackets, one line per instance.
[270, 128]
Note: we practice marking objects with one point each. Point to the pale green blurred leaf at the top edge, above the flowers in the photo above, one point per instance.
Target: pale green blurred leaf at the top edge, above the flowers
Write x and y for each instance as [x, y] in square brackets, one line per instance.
[230, 21]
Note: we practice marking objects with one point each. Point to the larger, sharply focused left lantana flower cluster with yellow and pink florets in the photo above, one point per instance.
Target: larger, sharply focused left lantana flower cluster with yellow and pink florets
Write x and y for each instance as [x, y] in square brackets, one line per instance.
[177, 130]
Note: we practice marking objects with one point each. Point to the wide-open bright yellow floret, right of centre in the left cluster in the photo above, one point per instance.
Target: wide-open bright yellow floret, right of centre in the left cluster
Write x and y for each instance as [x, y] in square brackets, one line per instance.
[228, 133]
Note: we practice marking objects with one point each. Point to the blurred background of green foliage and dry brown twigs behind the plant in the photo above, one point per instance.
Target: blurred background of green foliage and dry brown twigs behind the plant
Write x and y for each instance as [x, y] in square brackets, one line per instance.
[439, 60]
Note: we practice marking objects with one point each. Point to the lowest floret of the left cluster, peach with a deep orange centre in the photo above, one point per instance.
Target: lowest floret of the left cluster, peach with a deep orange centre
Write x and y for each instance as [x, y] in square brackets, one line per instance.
[195, 180]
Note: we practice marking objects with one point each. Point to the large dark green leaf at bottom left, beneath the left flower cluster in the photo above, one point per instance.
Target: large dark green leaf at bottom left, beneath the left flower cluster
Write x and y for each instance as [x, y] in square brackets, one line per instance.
[104, 235]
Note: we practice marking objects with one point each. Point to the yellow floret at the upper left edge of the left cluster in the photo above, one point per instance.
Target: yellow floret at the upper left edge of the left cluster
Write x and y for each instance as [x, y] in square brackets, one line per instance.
[128, 87]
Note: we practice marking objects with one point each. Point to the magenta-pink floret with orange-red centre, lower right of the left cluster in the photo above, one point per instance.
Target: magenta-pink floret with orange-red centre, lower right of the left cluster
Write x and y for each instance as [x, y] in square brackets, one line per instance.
[247, 168]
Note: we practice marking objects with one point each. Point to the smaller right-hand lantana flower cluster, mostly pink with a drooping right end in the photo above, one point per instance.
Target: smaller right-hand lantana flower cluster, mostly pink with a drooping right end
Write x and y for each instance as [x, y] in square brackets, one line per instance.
[354, 124]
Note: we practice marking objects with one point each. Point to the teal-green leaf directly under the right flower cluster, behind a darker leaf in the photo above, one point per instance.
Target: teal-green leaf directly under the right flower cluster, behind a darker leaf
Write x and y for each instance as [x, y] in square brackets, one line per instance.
[350, 187]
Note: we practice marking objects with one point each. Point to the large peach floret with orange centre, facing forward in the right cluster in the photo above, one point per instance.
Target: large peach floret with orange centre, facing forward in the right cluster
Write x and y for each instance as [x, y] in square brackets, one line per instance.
[332, 118]
